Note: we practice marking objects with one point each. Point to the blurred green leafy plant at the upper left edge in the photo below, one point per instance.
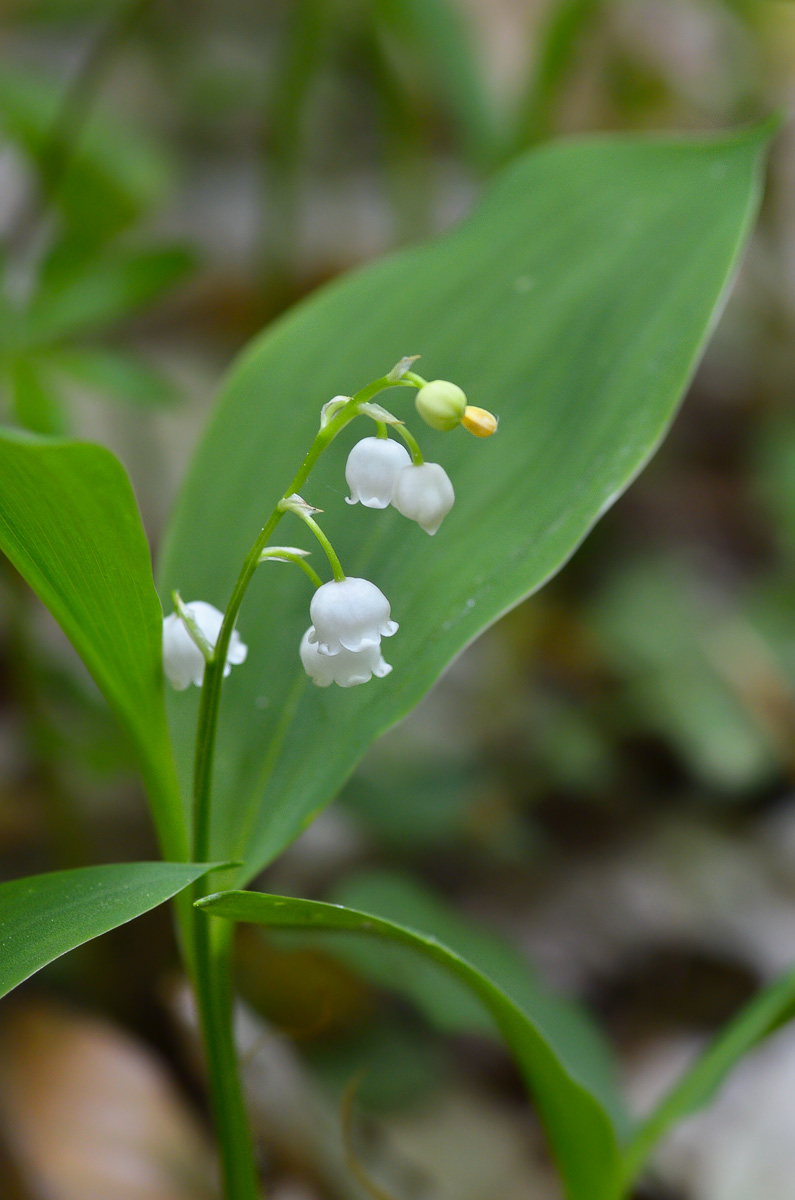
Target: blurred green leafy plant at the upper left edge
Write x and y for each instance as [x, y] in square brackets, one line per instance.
[73, 272]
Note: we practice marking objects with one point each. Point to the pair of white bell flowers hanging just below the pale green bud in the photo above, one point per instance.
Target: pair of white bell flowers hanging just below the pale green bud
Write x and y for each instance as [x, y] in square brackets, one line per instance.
[380, 472]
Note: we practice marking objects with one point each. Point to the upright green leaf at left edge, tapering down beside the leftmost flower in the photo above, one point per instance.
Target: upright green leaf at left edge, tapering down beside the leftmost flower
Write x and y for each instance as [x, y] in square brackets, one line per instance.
[70, 525]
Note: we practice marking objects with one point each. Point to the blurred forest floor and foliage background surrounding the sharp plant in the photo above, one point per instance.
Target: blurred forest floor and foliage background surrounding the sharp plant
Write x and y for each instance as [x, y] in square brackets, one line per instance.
[599, 797]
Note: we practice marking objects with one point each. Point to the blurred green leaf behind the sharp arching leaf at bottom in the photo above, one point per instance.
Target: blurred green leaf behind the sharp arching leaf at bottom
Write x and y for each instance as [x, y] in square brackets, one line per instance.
[572, 1035]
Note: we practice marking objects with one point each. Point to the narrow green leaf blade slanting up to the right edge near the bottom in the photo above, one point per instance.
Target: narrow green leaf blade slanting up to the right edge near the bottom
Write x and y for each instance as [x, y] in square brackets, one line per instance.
[767, 1012]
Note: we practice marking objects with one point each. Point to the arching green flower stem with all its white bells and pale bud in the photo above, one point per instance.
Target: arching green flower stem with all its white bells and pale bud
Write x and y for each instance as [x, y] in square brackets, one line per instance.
[343, 646]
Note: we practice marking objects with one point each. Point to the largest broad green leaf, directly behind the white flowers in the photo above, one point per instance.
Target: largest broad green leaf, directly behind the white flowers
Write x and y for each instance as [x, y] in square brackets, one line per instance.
[576, 302]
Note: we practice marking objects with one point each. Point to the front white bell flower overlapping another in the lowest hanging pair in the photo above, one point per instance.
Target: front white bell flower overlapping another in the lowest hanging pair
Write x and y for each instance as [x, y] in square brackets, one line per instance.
[350, 615]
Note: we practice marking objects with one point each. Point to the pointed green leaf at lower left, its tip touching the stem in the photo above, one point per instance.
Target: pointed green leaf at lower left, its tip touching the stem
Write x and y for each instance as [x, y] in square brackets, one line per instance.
[45, 916]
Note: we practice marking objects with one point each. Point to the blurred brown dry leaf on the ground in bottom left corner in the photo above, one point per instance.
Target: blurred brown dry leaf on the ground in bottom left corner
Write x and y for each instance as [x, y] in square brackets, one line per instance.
[89, 1114]
